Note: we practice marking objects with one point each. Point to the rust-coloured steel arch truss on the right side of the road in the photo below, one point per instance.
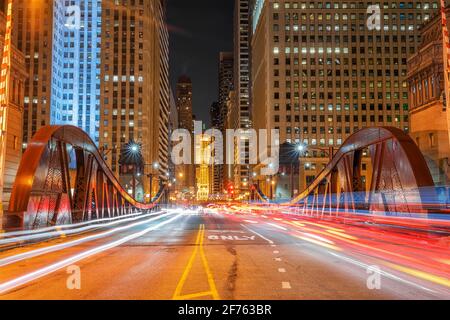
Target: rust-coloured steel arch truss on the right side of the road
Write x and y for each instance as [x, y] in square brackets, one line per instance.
[400, 179]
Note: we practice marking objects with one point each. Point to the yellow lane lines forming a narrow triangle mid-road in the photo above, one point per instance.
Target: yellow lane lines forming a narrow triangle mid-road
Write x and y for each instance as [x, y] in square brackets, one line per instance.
[212, 286]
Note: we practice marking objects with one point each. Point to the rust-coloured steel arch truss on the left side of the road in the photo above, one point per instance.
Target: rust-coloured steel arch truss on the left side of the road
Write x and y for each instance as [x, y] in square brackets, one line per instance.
[44, 192]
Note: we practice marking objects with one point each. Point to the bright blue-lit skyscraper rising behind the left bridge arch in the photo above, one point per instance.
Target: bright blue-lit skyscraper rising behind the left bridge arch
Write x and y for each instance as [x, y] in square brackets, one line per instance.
[75, 97]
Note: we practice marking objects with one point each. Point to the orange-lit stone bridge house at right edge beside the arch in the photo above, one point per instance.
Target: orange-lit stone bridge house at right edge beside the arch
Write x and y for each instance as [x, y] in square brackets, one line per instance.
[428, 115]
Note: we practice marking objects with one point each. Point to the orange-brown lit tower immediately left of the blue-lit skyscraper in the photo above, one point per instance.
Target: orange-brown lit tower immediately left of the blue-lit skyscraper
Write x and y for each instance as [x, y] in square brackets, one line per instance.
[33, 23]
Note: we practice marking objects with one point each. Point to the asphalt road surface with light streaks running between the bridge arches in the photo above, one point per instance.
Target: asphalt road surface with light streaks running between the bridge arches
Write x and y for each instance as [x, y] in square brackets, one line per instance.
[201, 255]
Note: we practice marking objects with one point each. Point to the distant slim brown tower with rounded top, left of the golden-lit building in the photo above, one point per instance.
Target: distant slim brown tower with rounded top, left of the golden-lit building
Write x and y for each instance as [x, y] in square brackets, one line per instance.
[186, 172]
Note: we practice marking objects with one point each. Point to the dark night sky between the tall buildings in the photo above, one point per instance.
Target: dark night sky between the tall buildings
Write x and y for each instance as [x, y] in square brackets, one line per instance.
[199, 30]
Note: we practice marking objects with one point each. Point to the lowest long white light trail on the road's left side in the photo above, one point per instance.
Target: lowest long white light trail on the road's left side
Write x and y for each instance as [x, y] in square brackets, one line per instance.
[32, 276]
